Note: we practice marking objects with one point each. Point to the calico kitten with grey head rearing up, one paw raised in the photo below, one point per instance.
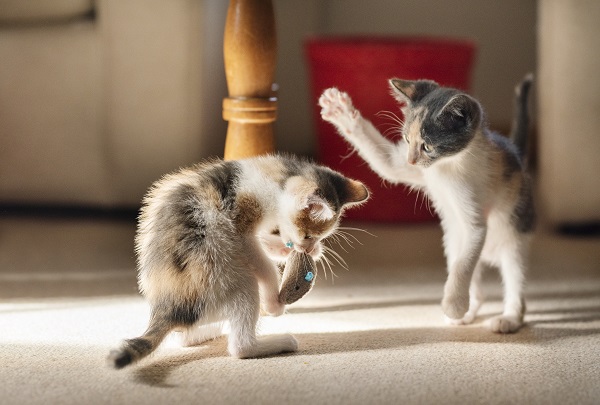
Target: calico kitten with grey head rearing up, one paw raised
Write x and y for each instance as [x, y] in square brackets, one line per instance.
[475, 178]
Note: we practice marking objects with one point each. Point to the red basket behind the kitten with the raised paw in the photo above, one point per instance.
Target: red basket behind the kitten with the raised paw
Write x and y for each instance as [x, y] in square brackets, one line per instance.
[361, 66]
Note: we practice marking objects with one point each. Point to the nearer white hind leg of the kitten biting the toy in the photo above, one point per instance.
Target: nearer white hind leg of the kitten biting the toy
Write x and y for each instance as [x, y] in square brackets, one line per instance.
[243, 342]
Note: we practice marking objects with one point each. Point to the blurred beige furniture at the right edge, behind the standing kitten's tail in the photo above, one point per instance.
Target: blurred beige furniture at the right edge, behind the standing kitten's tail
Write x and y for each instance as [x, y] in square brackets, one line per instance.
[568, 111]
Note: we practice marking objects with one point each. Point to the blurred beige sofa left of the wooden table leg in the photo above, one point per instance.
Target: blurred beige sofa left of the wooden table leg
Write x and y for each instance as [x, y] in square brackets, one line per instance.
[98, 98]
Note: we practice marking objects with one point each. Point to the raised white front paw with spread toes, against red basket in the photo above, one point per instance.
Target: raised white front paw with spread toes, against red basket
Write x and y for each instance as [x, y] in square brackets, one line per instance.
[337, 108]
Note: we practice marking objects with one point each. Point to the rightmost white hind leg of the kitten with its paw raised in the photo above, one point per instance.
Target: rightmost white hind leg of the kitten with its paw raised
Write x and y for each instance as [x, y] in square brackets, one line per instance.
[512, 270]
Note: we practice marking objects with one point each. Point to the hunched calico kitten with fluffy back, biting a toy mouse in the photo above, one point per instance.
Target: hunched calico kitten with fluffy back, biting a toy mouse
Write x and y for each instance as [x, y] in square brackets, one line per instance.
[202, 243]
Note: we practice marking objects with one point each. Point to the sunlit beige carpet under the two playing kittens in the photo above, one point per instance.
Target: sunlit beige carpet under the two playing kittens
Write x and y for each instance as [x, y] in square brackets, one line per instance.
[372, 335]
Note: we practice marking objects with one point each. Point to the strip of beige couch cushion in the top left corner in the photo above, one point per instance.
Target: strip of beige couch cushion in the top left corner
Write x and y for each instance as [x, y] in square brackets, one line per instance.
[33, 11]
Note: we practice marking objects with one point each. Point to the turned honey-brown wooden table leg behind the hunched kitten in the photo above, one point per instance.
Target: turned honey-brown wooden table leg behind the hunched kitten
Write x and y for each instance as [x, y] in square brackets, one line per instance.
[250, 50]
